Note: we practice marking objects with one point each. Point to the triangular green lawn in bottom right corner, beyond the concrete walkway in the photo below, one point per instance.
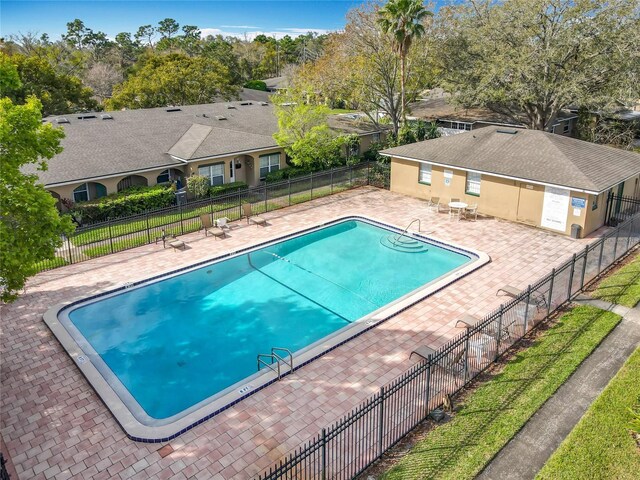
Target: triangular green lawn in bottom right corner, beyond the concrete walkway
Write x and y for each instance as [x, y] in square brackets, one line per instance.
[601, 445]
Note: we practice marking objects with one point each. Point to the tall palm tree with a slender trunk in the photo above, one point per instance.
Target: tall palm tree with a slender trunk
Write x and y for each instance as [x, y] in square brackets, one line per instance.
[403, 20]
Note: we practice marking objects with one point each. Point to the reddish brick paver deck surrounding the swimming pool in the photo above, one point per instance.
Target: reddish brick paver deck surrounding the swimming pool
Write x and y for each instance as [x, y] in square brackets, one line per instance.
[55, 426]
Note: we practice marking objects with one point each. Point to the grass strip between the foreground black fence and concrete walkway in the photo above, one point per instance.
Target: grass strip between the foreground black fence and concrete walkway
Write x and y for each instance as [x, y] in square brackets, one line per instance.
[491, 415]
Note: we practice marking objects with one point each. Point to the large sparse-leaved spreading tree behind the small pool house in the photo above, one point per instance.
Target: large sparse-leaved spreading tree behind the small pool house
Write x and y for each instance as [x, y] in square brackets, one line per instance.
[529, 59]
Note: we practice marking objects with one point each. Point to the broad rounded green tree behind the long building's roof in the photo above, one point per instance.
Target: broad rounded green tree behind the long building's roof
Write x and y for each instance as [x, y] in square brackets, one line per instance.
[174, 79]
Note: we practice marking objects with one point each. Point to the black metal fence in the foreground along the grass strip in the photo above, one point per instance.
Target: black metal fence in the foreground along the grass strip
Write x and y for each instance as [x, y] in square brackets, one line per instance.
[349, 446]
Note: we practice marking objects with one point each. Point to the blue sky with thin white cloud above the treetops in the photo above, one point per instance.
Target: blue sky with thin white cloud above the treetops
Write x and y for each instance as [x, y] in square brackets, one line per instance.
[226, 17]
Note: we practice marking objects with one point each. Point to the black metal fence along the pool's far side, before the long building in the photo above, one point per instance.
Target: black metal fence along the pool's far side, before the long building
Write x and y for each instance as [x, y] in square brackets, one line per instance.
[132, 231]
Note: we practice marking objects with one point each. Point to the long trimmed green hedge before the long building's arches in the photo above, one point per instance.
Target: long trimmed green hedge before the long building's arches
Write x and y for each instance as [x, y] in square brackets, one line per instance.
[128, 202]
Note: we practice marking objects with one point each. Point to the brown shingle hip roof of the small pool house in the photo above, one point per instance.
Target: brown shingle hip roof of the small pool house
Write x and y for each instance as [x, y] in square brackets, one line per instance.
[528, 155]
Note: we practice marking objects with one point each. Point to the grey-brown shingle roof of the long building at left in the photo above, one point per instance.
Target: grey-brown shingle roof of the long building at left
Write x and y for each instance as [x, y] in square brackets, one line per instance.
[135, 140]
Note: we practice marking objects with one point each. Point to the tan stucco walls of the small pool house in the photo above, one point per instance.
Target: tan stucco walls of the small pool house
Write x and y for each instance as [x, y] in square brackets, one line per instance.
[503, 198]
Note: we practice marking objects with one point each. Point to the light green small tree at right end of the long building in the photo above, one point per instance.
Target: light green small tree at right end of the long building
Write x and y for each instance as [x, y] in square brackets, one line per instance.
[304, 133]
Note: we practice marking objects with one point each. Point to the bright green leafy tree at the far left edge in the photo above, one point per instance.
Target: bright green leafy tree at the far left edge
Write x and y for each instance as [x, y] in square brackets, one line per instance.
[30, 227]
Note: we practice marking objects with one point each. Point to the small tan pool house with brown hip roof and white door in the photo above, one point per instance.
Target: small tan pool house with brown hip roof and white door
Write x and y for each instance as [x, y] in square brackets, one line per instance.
[538, 178]
